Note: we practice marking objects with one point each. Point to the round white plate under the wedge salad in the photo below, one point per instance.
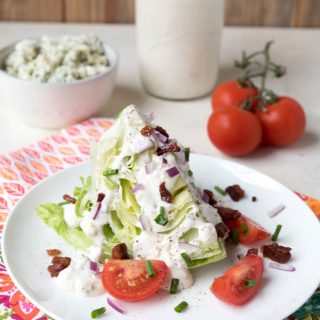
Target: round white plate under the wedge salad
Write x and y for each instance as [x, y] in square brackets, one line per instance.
[26, 239]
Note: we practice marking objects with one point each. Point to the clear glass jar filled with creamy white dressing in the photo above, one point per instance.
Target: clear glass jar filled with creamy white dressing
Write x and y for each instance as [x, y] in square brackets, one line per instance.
[178, 46]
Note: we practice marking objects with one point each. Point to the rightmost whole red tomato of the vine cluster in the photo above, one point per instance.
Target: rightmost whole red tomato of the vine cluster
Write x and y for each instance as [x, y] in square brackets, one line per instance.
[282, 123]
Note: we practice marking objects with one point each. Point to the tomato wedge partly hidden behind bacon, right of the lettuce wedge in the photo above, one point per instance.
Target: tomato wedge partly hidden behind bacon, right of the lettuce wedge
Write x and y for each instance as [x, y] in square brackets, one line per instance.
[249, 232]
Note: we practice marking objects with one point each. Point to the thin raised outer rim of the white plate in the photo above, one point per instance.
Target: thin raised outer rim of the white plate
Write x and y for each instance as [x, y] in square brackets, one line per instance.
[86, 163]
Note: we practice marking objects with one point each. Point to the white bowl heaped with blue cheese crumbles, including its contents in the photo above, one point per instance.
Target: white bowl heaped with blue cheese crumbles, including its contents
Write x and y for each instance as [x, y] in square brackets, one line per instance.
[52, 82]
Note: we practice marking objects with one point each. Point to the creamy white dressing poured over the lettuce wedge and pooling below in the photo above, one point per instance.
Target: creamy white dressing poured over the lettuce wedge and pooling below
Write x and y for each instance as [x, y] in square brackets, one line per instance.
[151, 243]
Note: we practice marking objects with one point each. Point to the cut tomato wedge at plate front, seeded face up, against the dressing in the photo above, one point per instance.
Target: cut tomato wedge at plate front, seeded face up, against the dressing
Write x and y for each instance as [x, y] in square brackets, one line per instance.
[128, 280]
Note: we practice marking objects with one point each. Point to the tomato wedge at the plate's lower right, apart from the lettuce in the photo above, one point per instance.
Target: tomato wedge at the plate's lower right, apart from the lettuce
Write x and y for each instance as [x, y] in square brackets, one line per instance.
[231, 288]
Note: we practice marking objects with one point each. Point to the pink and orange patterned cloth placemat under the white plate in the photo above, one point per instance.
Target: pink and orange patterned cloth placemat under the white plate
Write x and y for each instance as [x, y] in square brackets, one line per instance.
[22, 169]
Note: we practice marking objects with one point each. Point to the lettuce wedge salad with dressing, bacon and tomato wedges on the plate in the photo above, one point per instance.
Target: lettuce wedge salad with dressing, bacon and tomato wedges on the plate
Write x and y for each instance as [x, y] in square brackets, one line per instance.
[139, 223]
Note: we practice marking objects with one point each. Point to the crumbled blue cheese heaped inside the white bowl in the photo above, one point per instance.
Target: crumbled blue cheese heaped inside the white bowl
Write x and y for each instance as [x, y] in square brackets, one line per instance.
[57, 60]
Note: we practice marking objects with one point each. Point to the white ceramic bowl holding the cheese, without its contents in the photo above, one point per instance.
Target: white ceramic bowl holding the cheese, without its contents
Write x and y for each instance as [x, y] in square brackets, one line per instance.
[55, 105]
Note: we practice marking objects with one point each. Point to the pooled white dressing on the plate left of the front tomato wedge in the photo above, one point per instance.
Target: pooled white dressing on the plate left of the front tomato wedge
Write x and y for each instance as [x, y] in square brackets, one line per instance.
[79, 279]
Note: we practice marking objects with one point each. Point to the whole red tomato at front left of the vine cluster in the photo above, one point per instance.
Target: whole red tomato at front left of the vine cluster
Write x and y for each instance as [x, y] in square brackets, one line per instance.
[234, 131]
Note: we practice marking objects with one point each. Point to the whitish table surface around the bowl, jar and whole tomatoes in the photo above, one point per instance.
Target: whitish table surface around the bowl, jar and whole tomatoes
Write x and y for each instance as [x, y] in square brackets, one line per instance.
[297, 166]
